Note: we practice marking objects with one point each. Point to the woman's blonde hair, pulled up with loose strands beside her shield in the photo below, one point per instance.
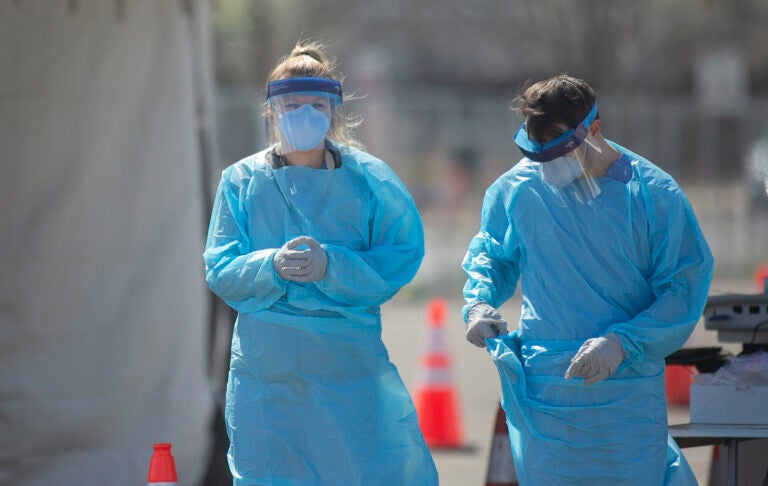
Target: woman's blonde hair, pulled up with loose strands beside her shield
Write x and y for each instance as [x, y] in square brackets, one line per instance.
[308, 59]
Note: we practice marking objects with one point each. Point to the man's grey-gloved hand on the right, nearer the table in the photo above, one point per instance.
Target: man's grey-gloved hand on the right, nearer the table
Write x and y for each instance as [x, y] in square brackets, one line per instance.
[597, 359]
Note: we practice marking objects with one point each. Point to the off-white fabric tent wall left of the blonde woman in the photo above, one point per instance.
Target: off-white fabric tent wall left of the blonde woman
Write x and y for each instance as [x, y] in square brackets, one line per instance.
[103, 305]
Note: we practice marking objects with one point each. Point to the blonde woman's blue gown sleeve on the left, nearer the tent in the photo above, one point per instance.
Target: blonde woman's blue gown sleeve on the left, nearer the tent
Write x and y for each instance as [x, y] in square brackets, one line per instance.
[244, 279]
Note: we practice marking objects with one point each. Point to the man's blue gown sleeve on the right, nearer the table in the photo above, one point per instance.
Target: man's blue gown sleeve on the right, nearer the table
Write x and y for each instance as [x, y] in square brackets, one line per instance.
[681, 274]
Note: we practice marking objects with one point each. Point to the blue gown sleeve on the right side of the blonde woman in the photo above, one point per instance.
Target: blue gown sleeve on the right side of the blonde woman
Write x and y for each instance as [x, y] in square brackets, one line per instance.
[373, 276]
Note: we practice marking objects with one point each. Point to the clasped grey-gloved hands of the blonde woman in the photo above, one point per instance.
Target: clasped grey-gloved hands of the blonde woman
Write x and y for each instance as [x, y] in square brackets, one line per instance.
[301, 265]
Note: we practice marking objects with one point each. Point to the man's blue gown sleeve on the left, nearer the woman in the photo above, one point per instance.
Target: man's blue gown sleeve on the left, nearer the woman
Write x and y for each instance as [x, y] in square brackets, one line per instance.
[492, 261]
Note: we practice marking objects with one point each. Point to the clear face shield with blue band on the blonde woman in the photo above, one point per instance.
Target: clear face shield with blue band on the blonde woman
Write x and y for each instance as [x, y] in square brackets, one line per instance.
[303, 112]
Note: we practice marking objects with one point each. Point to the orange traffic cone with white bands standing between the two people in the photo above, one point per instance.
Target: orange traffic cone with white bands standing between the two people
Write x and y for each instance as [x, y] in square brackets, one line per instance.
[435, 399]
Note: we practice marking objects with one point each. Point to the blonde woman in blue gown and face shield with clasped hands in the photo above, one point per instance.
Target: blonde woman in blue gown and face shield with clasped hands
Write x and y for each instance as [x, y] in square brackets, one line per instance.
[307, 240]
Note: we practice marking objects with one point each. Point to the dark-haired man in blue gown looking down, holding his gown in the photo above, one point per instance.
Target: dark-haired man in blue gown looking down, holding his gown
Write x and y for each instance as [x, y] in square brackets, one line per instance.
[614, 273]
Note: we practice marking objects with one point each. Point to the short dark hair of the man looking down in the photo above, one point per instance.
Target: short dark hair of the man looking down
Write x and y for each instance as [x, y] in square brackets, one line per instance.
[553, 106]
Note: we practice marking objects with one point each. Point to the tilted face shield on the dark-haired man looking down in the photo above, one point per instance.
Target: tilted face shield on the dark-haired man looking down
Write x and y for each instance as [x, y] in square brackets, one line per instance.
[566, 162]
